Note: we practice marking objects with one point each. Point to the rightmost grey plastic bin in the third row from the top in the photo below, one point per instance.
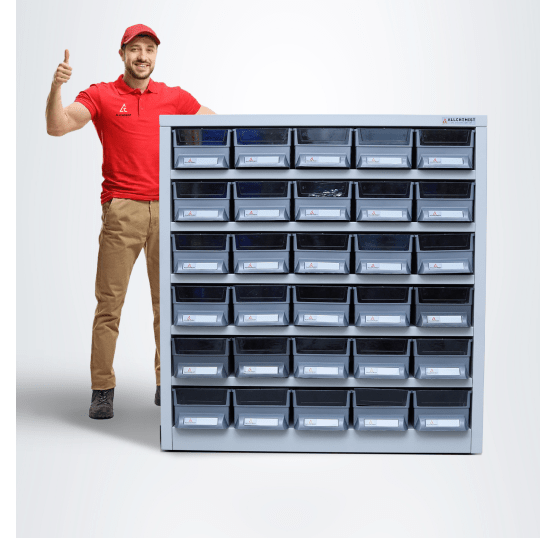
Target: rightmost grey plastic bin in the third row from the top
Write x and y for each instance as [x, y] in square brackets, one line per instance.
[444, 253]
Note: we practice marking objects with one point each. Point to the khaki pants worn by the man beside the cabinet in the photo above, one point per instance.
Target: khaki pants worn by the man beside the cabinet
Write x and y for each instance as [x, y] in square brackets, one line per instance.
[128, 226]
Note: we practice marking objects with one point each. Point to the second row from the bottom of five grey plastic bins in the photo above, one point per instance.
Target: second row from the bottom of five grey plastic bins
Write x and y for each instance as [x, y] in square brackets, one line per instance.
[322, 357]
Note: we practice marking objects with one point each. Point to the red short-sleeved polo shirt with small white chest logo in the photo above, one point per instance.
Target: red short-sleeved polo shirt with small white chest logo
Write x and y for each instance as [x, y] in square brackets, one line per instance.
[127, 123]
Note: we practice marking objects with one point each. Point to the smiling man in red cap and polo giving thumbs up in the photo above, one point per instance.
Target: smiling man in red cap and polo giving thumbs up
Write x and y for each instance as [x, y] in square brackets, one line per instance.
[125, 114]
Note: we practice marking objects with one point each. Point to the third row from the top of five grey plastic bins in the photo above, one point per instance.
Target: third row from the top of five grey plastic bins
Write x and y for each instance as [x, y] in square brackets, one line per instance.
[375, 253]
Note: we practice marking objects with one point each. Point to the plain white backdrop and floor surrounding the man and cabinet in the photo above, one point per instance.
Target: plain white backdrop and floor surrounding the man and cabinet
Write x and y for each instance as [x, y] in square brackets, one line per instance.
[83, 478]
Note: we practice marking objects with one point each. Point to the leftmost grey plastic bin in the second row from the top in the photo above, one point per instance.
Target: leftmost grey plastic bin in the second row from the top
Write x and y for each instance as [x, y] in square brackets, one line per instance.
[201, 200]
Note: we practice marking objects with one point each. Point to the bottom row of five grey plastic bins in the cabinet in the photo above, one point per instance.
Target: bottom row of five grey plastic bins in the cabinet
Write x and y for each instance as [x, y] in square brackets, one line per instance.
[322, 410]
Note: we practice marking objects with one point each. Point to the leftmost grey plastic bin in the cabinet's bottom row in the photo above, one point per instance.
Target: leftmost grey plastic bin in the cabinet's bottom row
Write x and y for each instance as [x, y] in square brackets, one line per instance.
[201, 408]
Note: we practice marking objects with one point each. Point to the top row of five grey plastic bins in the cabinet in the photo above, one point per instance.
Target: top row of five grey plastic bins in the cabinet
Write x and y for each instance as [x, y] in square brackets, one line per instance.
[324, 147]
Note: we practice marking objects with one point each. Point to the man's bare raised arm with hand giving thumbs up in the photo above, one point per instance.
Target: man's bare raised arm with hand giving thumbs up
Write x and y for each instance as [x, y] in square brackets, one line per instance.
[62, 120]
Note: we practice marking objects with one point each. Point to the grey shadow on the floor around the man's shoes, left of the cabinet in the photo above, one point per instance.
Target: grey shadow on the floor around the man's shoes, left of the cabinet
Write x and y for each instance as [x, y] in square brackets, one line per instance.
[136, 417]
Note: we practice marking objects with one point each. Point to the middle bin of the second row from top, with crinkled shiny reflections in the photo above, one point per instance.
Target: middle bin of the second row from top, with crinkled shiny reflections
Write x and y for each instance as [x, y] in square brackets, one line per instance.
[322, 200]
